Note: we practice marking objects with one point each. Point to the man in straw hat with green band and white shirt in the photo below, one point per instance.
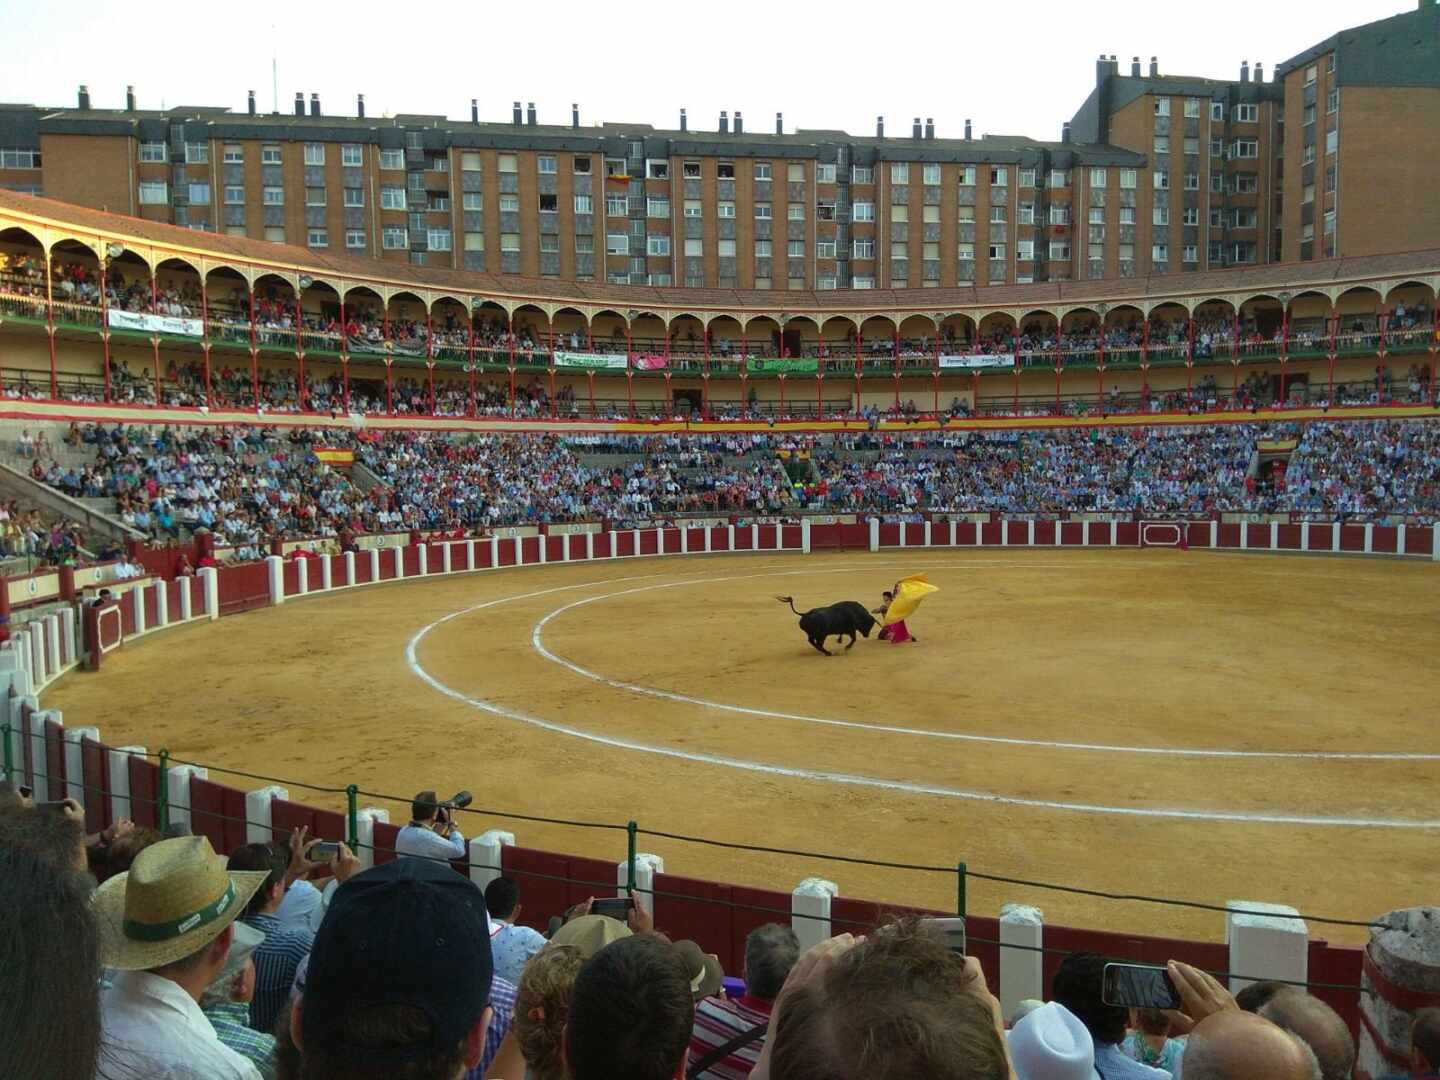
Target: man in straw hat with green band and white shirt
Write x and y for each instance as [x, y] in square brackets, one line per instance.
[166, 928]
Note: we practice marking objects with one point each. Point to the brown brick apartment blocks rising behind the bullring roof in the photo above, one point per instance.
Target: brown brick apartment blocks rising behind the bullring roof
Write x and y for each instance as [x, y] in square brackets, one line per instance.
[1154, 175]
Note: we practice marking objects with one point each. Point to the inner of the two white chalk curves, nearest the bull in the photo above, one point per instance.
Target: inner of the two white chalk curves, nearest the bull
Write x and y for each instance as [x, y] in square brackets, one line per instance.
[538, 643]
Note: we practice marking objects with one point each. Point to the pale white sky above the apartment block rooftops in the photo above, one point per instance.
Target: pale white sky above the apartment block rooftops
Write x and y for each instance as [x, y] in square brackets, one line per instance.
[1016, 68]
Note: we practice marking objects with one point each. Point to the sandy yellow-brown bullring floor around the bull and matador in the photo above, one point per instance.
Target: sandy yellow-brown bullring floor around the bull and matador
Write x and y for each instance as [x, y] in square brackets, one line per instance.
[1009, 738]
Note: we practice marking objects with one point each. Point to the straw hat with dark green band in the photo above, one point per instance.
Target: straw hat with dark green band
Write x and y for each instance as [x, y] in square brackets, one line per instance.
[176, 899]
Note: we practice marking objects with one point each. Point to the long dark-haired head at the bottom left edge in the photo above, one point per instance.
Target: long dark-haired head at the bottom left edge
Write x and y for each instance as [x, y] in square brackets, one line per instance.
[50, 955]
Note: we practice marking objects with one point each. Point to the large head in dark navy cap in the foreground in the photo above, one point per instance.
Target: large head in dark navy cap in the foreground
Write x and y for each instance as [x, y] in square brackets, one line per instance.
[398, 983]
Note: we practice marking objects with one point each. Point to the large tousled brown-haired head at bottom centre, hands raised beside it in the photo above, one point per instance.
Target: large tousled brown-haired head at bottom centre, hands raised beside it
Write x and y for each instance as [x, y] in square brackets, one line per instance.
[899, 1004]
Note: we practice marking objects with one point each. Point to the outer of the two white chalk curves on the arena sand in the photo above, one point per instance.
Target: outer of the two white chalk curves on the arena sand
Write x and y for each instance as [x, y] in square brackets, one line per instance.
[1239, 817]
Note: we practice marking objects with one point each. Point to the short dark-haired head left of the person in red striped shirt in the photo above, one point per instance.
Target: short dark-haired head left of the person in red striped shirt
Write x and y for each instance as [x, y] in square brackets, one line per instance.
[631, 1013]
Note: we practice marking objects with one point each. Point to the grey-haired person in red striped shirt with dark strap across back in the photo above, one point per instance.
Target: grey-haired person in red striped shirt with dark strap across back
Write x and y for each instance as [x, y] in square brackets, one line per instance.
[770, 954]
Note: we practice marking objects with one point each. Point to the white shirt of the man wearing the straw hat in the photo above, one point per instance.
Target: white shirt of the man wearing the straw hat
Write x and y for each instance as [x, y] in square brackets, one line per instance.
[153, 1030]
